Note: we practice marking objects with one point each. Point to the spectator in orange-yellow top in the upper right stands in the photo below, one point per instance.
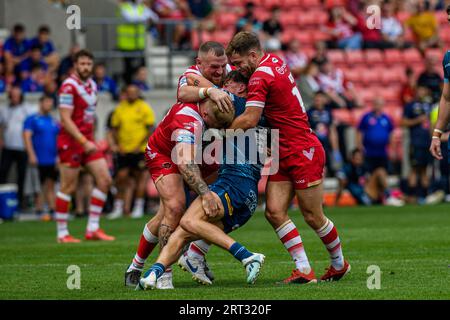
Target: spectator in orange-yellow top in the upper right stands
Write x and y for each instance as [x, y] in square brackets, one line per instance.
[424, 26]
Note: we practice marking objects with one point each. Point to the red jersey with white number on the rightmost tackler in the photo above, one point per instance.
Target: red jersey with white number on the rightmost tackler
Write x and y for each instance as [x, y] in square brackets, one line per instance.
[273, 88]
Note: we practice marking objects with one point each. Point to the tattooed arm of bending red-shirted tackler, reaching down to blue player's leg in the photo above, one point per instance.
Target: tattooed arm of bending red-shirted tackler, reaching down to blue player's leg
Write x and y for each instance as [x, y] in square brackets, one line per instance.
[193, 177]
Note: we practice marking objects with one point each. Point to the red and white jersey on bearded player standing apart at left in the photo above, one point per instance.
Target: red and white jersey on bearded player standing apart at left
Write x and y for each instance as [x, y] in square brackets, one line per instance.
[81, 97]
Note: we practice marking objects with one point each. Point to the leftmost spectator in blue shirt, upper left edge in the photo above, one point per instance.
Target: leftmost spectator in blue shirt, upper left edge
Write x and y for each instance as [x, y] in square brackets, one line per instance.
[15, 50]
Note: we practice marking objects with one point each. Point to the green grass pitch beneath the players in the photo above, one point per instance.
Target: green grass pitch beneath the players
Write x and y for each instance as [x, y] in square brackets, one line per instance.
[409, 244]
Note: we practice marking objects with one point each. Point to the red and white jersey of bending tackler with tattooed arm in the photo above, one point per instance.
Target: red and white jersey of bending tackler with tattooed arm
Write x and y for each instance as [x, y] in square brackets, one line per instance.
[182, 123]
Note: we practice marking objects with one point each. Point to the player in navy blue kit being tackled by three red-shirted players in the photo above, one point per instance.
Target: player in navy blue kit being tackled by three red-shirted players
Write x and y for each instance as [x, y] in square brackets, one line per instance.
[237, 189]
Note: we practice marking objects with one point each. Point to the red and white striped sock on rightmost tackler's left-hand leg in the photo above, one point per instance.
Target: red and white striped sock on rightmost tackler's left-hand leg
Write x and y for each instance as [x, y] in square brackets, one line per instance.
[292, 241]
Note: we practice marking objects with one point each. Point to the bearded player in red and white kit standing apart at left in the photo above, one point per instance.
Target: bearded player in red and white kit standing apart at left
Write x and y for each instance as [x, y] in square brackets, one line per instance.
[76, 148]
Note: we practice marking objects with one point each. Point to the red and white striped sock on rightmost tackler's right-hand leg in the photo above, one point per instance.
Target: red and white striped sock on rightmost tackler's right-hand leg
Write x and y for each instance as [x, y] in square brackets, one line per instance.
[330, 238]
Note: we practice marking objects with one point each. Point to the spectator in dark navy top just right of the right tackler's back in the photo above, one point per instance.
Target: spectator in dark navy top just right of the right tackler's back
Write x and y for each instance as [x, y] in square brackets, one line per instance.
[321, 121]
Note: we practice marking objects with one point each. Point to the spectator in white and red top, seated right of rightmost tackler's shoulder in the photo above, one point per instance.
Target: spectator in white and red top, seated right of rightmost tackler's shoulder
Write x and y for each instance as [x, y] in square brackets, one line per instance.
[340, 91]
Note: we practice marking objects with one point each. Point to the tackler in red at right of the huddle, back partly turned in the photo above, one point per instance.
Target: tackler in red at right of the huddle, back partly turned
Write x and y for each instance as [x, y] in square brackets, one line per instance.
[272, 91]
